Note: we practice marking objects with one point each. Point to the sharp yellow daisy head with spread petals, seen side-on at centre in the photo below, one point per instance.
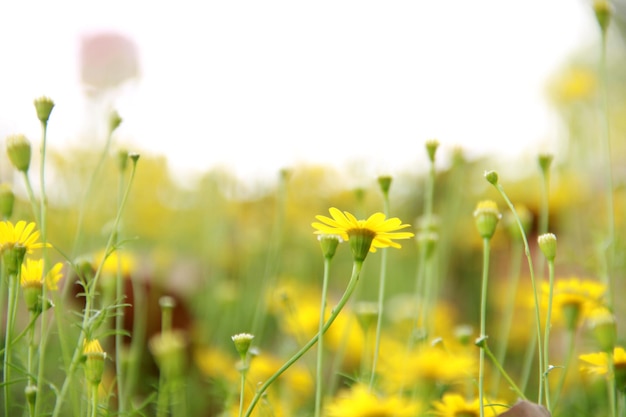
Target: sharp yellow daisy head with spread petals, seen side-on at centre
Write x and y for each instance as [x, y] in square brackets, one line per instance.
[363, 235]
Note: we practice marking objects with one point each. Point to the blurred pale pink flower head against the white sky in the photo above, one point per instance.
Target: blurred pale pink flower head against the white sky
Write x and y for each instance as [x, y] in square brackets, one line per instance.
[107, 60]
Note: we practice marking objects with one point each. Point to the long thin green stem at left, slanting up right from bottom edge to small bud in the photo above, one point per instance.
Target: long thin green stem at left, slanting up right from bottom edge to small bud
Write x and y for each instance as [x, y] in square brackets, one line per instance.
[89, 300]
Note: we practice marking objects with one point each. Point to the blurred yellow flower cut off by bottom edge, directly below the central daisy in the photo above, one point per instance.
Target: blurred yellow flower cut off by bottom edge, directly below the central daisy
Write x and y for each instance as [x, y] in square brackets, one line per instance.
[359, 401]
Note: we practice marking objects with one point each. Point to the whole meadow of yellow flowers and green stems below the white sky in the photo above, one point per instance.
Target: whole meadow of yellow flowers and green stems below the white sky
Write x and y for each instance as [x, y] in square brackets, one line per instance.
[469, 288]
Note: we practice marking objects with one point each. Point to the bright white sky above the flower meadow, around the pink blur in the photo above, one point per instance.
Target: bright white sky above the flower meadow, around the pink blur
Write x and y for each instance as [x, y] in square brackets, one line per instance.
[262, 85]
